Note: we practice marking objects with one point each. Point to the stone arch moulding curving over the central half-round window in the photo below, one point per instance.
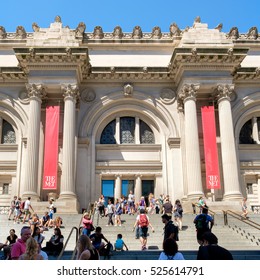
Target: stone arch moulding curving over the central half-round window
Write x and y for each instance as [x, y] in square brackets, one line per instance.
[157, 117]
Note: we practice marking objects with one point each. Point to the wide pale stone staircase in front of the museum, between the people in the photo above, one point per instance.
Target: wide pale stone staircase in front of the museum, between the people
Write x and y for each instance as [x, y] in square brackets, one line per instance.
[236, 235]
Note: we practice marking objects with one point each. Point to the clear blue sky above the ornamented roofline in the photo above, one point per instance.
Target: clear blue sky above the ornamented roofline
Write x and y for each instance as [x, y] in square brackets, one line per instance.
[127, 14]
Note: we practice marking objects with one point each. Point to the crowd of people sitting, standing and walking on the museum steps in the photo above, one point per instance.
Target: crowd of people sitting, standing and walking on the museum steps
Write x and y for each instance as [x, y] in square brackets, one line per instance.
[92, 243]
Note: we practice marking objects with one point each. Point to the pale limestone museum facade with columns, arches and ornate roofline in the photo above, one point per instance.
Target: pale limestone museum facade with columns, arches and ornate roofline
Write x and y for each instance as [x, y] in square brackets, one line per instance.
[129, 112]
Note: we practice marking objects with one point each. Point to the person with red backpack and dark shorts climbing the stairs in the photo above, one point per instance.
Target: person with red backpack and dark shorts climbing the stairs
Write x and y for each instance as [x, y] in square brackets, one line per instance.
[142, 221]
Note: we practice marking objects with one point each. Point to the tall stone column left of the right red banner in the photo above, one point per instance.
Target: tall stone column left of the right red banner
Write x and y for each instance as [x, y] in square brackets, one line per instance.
[188, 95]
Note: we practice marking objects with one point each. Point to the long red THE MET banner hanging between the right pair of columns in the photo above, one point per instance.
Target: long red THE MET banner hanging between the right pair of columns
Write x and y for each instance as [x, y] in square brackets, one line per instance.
[210, 147]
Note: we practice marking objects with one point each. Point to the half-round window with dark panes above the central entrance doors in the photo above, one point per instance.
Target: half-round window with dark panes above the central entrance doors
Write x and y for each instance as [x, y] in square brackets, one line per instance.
[131, 130]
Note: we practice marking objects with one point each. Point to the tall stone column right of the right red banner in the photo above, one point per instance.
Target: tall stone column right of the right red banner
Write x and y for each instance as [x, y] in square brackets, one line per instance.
[228, 149]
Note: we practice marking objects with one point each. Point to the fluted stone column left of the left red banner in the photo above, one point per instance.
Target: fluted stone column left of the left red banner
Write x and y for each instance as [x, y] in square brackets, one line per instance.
[35, 93]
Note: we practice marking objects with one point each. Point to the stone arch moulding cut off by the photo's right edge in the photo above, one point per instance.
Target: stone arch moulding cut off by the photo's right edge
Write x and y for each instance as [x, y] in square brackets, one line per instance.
[247, 108]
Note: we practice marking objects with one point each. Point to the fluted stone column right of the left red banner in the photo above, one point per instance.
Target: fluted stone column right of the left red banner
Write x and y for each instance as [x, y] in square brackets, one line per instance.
[67, 188]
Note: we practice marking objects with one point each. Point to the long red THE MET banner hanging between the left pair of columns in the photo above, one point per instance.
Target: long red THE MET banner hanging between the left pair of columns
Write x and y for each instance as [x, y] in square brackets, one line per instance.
[51, 147]
